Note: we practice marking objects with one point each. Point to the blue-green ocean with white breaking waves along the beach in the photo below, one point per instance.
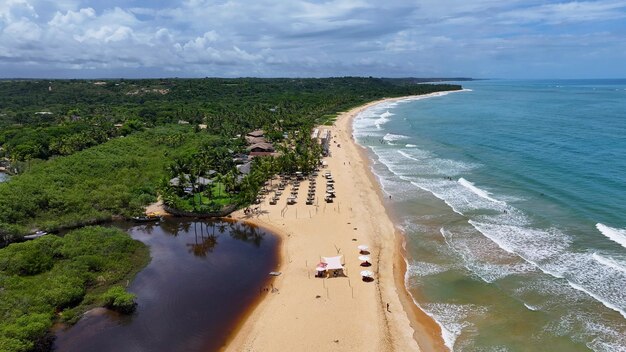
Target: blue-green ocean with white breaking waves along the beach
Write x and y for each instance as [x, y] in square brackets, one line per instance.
[512, 198]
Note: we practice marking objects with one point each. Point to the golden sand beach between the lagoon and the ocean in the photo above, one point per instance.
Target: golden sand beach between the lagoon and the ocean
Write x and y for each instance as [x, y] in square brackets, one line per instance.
[303, 313]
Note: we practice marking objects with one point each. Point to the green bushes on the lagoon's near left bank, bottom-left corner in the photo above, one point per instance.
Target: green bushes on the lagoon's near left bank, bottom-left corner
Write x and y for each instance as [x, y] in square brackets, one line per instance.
[60, 277]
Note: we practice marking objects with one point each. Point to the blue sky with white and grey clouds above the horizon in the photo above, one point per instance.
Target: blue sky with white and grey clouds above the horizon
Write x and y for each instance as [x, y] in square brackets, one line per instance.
[299, 38]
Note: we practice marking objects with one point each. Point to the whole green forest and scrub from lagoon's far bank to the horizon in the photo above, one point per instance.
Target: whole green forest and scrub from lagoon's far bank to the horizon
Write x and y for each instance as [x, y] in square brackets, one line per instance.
[86, 151]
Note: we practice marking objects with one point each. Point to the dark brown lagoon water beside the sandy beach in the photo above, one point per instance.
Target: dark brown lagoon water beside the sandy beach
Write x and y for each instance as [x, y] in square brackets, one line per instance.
[202, 279]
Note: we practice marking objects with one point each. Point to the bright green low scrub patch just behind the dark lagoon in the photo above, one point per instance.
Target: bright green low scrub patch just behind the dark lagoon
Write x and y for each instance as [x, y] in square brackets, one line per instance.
[116, 178]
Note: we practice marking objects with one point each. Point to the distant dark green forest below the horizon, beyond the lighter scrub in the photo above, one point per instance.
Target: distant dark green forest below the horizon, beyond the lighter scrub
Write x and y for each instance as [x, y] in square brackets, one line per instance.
[39, 119]
